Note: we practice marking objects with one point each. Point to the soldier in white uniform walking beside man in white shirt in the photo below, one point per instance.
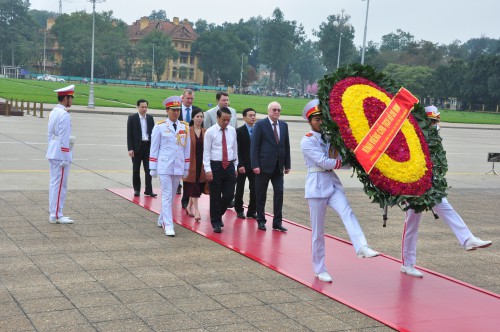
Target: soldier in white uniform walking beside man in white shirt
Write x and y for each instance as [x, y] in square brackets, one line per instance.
[169, 158]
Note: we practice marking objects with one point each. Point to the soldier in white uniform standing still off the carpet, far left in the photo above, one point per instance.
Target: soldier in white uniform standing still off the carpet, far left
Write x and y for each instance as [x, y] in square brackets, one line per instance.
[59, 154]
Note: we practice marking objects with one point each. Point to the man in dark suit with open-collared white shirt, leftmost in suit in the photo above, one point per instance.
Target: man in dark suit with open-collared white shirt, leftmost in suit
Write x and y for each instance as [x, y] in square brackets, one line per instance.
[139, 128]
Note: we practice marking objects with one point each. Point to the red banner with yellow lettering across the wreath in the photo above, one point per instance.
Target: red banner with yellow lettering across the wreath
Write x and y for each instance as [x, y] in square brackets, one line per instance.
[383, 131]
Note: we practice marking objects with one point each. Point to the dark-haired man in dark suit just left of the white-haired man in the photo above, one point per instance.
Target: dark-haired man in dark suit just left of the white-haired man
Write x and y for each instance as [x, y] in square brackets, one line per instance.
[244, 136]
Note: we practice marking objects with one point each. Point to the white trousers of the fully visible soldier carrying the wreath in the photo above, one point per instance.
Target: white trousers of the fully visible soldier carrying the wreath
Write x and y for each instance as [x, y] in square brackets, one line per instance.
[317, 211]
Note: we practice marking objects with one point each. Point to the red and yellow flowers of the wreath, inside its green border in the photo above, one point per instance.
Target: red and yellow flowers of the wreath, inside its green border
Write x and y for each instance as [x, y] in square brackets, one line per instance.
[405, 168]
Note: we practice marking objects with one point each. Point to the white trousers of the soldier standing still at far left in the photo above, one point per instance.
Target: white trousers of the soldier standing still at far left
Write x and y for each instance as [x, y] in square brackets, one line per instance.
[57, 188]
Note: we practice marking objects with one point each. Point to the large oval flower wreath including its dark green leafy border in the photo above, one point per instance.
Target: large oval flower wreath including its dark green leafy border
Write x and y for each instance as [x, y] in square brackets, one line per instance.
[410, 173]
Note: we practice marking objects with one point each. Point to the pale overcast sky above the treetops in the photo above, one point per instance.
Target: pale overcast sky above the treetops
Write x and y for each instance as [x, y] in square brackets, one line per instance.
[438, 21]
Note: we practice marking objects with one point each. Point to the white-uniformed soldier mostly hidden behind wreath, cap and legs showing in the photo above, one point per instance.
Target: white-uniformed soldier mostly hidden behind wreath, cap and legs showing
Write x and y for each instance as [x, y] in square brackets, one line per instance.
[446, 212]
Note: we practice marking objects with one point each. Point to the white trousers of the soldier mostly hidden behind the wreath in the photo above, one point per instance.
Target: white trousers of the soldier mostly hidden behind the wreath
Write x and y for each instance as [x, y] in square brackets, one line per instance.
[410, 233]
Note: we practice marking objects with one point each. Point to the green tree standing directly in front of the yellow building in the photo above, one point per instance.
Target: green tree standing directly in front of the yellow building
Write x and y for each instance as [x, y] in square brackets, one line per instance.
[163, 51]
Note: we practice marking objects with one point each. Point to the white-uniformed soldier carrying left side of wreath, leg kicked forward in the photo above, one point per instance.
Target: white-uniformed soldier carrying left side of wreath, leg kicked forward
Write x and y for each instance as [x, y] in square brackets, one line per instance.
[322, 189]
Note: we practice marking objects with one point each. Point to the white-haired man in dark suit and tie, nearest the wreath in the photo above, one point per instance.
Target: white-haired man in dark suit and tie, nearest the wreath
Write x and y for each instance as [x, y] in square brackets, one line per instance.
[270, 155]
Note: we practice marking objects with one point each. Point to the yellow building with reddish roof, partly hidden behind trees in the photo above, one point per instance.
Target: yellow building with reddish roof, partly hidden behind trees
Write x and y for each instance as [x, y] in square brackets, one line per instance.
[185, 68]
